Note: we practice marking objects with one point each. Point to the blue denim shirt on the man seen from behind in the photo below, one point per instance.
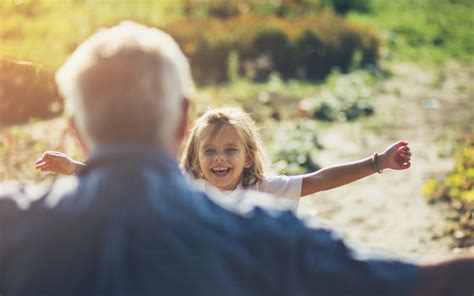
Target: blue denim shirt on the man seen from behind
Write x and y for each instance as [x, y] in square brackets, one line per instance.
[130, 225]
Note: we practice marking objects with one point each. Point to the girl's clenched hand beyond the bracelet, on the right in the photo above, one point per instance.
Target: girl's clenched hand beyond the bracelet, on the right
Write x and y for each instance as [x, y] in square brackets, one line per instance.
[396, 156]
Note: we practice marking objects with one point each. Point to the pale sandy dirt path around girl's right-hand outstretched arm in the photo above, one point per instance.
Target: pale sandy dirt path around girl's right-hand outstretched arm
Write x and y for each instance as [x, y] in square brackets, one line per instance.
[388, 211]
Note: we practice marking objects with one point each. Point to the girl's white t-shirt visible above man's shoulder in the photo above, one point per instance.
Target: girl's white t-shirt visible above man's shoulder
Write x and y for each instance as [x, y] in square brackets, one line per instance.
[284, 187]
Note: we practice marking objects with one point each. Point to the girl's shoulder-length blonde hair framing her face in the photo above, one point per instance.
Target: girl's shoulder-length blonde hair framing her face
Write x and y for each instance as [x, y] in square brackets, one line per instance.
[247, 130]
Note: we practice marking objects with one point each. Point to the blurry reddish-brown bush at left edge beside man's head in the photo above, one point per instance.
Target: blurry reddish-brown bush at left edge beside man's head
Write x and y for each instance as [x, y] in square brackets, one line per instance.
[26, 91]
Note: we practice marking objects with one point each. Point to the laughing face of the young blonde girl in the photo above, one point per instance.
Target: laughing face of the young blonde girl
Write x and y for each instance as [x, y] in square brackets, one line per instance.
[222, 157]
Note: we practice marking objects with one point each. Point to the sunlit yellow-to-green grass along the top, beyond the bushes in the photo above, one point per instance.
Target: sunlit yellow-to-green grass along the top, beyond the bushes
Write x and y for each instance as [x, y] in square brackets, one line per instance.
[45, 32]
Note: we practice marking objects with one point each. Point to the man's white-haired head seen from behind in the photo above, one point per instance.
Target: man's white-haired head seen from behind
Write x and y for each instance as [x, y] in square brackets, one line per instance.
[127, 84]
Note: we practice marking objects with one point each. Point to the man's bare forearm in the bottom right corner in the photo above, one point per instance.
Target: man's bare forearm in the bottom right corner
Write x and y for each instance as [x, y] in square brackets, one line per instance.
[448, 277]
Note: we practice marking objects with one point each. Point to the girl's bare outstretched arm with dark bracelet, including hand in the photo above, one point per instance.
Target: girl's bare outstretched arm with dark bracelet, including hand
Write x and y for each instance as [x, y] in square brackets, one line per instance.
[396, 156]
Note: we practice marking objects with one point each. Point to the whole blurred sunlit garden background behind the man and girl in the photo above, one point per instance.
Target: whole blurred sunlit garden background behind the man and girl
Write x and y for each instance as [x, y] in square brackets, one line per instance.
[327, 80]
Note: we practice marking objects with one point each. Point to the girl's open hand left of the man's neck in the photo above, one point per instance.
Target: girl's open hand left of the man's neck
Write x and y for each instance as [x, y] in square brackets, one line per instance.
[56, 162]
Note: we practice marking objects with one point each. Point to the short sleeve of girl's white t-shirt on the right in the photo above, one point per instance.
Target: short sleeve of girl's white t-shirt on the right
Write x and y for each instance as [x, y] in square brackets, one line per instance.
[288, 187]
